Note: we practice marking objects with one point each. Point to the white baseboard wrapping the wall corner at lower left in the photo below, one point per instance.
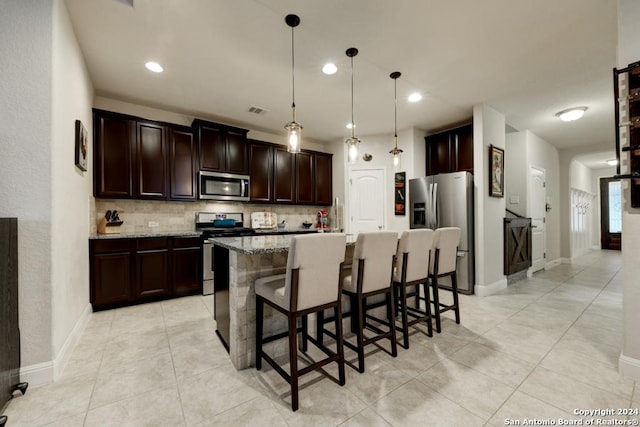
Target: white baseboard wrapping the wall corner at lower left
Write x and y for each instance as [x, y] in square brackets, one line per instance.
[48, 372]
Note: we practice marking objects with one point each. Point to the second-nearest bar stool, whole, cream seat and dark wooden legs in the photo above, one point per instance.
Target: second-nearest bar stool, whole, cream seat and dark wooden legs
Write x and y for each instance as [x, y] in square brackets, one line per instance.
[371, 275]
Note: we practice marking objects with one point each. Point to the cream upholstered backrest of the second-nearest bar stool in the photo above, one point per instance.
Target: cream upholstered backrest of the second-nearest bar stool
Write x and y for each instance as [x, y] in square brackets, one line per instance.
[377, 250]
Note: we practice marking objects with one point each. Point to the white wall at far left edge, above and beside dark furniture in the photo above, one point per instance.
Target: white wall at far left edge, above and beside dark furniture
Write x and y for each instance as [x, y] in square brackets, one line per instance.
[25, 162]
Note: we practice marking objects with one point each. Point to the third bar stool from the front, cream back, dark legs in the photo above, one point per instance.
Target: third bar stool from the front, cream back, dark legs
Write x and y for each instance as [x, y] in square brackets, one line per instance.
[412, 270]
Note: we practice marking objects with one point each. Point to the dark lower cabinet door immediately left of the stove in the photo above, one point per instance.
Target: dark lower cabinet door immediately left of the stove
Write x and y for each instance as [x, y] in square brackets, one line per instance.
[187, 271]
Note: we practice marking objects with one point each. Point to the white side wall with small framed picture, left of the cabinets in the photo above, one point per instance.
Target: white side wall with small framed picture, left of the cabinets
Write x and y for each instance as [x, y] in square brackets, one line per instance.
[70, 187]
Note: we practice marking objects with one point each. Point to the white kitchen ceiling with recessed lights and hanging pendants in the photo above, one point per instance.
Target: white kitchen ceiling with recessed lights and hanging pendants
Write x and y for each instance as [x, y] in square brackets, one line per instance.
[527, 59]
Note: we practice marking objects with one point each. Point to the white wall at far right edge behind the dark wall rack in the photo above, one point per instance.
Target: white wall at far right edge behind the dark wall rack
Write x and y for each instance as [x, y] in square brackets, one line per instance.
[628, 52]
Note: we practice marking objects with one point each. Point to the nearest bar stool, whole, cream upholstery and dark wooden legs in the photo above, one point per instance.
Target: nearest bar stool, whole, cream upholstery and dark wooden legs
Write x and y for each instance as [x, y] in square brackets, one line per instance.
[312, 283]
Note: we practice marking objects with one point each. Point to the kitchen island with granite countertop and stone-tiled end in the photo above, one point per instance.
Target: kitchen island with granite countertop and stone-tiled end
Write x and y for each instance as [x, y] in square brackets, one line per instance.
[238, 262]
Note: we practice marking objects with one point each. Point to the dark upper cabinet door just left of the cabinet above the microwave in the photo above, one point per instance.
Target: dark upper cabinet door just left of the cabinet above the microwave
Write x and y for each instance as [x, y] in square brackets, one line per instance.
[182, 165]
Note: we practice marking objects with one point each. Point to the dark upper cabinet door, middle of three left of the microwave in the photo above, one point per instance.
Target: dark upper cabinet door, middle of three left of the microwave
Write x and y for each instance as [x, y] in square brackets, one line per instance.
[152, 161]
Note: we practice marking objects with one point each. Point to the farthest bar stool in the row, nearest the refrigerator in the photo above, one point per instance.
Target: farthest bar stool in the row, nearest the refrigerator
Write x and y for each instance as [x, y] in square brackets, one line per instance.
[443, 264]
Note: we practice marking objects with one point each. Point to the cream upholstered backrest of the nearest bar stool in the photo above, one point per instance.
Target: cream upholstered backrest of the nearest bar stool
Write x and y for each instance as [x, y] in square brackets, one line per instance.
[317, 258]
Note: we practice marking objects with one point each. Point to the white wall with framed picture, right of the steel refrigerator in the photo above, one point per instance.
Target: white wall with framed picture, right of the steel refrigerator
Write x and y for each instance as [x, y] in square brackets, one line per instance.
[488, 129]
